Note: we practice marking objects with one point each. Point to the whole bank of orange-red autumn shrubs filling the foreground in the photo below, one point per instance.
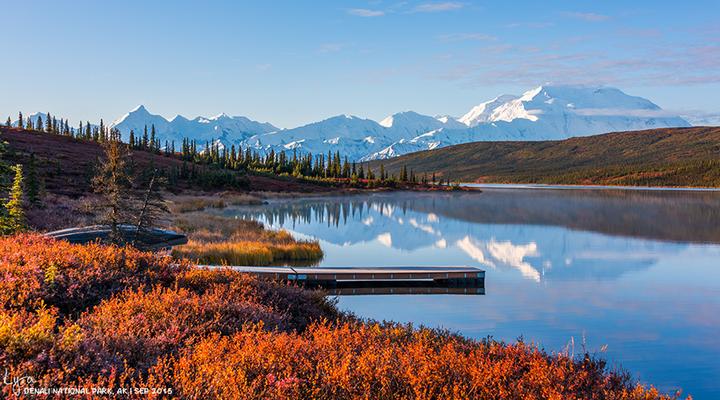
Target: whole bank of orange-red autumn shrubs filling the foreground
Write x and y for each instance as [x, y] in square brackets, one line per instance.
[86, 316]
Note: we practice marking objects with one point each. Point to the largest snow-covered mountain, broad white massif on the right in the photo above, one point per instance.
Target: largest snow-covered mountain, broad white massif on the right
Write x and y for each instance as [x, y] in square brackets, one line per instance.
[544, 113]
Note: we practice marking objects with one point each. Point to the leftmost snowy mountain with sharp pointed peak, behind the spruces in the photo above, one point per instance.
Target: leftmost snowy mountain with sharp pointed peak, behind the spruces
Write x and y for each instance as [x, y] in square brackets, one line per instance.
[222, 127]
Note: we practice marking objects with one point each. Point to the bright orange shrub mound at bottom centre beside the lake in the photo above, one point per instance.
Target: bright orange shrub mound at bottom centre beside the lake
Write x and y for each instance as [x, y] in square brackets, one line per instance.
[384, 361]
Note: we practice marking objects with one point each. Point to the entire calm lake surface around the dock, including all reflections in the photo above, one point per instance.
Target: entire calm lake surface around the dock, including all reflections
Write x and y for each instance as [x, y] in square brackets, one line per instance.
[633, 273]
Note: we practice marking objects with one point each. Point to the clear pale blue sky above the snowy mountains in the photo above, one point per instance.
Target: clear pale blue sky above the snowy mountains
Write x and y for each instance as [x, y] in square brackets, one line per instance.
[292, 62]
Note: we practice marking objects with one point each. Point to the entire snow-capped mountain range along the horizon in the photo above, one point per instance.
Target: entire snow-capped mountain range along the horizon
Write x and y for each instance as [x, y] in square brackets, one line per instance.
[550, 112]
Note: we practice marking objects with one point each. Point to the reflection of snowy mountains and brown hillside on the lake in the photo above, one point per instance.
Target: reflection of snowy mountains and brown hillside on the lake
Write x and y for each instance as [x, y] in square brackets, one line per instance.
[541, 234]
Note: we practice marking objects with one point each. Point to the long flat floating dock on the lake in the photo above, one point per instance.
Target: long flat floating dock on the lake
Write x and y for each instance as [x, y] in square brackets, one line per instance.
[382, 280]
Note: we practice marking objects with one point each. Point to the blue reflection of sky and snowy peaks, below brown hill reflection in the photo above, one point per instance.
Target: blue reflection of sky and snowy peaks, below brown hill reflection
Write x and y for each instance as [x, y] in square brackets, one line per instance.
[656, 305]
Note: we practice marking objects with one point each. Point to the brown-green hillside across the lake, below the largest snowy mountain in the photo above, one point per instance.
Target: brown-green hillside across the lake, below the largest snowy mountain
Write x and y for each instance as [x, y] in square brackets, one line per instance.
[657, 157]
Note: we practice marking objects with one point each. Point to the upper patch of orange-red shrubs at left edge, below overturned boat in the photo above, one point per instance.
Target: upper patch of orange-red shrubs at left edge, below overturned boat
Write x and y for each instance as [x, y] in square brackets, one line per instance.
[35, 269]
